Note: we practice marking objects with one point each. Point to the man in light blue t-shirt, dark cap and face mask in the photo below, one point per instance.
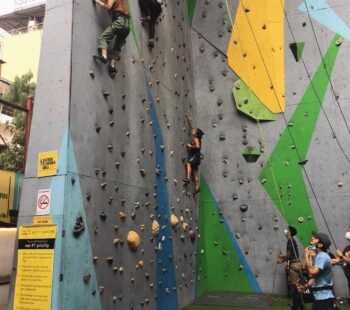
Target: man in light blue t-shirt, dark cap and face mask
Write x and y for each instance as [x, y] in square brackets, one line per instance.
[319, 267]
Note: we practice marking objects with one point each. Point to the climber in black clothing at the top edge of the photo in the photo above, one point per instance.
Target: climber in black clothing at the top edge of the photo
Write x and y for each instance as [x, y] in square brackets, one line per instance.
[150, 11]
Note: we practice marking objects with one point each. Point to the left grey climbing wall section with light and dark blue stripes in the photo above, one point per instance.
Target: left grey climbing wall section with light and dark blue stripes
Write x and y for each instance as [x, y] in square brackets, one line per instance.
[123, 218]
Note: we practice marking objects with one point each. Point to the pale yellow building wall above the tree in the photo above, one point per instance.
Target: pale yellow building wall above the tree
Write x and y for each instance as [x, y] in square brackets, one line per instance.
[21, 53]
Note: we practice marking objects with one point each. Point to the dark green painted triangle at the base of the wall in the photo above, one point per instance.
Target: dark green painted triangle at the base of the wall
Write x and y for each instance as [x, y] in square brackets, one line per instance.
[218, 262]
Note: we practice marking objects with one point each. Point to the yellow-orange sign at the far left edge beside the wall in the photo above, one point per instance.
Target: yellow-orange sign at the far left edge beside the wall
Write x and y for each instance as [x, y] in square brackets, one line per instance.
[7, 188]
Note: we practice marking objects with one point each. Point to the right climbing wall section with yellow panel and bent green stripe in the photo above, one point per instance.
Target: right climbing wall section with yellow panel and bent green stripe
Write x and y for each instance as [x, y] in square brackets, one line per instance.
[271, 92]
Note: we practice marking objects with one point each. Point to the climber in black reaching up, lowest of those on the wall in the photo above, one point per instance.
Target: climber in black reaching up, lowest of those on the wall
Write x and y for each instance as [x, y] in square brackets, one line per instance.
[194, 156]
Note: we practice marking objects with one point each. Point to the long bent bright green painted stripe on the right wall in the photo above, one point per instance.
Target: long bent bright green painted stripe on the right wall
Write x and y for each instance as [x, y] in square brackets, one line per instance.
[284, 158]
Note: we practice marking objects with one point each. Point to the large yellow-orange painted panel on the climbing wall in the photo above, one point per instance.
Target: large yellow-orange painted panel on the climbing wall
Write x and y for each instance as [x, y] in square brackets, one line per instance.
[256, 50]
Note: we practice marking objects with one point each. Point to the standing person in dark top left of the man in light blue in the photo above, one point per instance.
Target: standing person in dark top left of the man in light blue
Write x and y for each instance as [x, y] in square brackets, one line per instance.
[294, 267]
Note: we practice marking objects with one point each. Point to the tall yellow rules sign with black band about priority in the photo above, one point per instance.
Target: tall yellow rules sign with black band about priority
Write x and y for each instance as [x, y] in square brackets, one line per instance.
[36, 249]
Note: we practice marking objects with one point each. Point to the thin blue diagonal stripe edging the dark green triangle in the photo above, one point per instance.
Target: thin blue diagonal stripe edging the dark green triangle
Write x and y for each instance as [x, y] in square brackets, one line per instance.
[255, 285]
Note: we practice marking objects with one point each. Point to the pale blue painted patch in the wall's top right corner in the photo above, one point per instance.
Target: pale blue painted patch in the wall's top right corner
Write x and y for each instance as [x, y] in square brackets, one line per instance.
[324, 14]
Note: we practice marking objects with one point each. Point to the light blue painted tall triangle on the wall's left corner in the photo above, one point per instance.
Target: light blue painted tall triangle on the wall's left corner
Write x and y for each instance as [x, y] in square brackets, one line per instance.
[61, 296]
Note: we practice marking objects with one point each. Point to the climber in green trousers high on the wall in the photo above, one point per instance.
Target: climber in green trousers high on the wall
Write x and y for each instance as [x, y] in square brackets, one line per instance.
[119, 29]
